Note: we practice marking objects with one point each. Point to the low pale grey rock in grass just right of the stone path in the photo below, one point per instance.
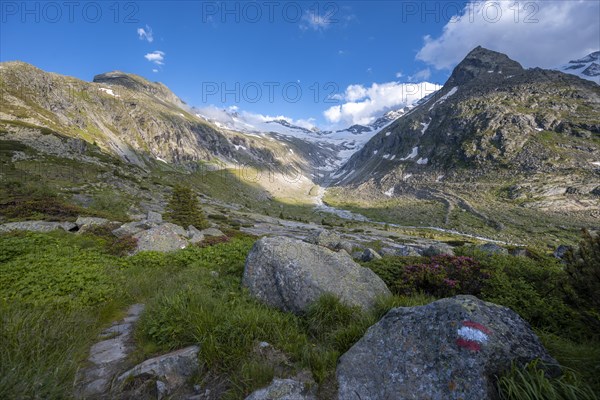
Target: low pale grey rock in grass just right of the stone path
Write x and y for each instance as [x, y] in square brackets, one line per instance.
[170, 369]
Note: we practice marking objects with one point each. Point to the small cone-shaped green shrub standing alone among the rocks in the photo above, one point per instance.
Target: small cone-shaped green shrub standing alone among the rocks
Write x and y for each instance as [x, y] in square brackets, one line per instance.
[183, 208]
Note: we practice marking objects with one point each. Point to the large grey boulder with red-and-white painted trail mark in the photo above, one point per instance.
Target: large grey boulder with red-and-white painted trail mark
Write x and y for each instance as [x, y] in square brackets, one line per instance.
[449, 349]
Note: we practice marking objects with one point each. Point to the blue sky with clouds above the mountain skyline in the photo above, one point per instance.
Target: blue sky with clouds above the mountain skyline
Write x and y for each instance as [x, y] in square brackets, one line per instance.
[349, 48]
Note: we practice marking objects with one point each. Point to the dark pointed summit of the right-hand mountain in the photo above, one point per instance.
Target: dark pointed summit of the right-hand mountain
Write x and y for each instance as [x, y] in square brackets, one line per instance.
[482, 62]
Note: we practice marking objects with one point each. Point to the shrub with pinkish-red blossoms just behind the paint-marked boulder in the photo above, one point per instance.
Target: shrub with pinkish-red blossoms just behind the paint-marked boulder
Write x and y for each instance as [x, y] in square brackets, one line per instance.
[443, 276]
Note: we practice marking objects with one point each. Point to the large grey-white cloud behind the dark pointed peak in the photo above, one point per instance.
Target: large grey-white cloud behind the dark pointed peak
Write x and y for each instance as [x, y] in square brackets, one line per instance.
[535, 33]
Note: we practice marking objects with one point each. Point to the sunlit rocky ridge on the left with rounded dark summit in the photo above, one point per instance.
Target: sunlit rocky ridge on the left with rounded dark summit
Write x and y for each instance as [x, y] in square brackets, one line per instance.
[139, 121]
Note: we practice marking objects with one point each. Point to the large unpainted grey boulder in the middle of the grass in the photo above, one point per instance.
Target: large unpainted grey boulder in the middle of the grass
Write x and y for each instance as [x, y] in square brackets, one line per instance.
[291, 274]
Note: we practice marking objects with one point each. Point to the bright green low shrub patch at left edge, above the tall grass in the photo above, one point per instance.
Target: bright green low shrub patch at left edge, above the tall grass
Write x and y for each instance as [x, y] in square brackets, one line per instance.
[59, 269]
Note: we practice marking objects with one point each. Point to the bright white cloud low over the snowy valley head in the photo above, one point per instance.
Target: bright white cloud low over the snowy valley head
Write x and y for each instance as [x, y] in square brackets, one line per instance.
[365, 104]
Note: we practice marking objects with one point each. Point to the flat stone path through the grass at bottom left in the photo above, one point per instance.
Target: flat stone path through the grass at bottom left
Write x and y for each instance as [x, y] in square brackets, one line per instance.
[107, 357]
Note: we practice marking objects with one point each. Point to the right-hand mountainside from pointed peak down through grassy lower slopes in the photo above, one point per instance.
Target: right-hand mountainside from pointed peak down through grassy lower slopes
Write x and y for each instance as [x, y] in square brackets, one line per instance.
[500, 149]
